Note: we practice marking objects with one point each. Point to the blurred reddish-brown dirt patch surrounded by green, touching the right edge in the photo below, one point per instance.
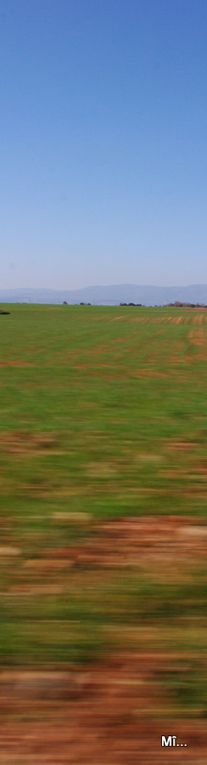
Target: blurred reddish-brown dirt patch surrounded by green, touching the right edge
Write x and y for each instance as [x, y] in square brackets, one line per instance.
[143, 543]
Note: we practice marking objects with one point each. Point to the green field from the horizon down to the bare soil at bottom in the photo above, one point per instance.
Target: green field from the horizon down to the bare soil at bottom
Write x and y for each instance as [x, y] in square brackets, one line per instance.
[103, 420]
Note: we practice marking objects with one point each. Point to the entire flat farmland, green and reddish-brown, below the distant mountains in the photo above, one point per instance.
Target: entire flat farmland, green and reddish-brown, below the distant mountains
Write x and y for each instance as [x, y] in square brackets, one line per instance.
[103, 477]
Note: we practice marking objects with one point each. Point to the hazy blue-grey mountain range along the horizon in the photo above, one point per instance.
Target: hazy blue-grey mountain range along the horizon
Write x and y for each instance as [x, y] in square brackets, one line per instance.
[110, 295]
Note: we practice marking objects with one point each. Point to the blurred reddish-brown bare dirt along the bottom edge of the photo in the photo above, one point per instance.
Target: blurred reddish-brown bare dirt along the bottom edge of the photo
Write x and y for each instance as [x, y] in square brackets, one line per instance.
[108, 715]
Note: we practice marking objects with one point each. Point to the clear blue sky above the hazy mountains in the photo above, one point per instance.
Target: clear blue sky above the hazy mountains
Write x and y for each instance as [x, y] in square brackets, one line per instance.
[103, 142]
